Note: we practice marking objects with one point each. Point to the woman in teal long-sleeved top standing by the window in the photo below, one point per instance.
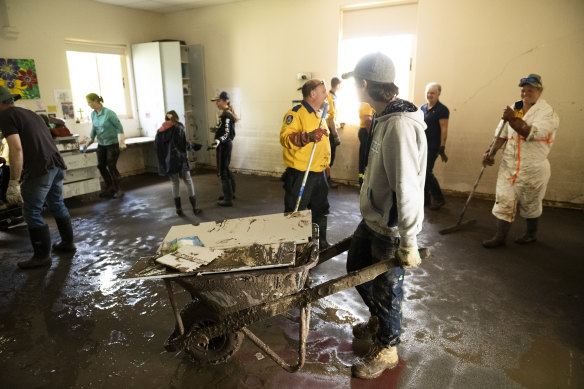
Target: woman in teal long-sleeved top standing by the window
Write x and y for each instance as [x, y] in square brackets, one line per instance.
[110, 141]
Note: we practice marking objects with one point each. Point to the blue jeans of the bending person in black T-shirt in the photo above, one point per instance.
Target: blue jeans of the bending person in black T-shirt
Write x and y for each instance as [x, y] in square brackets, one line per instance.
[38, 190]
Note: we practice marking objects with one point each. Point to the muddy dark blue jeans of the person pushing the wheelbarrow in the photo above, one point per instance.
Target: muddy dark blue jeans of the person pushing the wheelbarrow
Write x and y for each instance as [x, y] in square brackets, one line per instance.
[382, 295]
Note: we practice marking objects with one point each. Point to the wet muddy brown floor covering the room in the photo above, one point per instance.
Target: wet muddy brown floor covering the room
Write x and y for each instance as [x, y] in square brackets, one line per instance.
[473, 318]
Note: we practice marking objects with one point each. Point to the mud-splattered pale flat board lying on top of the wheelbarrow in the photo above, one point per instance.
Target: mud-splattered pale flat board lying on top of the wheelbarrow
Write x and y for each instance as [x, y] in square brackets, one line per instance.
[267, 229]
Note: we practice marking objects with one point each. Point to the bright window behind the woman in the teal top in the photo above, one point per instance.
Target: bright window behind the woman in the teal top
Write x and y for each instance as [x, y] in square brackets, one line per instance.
[96, 69]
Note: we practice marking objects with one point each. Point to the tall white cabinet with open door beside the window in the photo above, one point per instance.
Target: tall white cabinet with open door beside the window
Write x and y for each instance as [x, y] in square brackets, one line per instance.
[170, 76]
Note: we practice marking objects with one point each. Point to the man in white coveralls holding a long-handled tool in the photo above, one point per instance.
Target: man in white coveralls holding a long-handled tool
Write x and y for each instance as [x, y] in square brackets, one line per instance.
[528, 132]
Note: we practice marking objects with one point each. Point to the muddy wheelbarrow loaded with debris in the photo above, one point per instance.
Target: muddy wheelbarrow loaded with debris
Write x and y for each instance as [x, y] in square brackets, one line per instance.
[212, 326]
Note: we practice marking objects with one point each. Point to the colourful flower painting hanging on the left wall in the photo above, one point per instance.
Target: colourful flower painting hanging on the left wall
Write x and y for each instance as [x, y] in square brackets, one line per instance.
[19, 76]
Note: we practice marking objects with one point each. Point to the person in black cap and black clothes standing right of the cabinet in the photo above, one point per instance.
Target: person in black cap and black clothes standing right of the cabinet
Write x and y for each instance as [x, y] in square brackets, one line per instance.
[224, 144]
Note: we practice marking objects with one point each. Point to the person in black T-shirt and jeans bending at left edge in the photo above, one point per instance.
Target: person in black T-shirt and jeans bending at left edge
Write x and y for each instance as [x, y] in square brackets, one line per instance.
[34, 158]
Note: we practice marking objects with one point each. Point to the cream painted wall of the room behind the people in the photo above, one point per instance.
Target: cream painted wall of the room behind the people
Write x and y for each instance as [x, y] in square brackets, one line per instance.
[477, 50]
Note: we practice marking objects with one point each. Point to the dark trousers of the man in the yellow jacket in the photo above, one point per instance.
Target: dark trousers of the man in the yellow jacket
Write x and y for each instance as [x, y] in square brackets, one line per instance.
[314, 197]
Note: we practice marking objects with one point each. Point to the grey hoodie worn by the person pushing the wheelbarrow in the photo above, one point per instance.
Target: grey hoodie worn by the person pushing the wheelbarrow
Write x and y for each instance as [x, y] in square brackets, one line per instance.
[392, 195]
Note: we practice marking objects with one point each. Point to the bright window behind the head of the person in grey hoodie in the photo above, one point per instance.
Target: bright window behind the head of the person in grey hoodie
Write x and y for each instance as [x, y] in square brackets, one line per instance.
[397, 47]
